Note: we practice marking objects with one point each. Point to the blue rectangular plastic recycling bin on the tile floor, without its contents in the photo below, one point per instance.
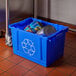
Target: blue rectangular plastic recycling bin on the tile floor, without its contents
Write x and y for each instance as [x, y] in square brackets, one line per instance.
[39, 49]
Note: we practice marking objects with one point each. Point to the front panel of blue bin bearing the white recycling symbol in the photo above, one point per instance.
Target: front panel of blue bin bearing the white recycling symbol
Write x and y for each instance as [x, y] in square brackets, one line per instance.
[29, 45]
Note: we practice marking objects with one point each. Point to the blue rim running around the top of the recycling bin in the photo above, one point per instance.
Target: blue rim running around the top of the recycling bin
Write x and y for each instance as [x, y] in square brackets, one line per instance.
[65, 29]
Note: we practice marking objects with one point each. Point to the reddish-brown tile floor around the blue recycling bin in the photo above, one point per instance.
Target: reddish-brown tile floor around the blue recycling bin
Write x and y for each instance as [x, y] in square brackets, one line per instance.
[13, 65]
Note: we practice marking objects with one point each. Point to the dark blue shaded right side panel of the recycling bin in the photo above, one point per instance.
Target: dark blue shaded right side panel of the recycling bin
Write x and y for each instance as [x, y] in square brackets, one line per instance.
[55, 48]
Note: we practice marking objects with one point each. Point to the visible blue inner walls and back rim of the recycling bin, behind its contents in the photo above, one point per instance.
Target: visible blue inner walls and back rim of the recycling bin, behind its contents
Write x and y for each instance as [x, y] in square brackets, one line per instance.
[22, 24]
